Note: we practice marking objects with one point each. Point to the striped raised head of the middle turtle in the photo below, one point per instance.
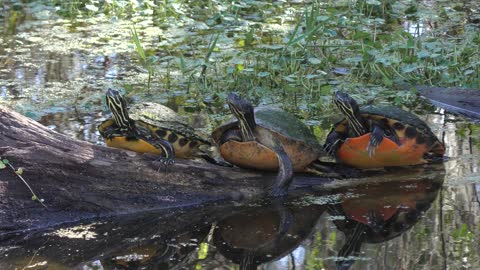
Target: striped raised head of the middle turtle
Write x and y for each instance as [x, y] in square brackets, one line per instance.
[242, 109]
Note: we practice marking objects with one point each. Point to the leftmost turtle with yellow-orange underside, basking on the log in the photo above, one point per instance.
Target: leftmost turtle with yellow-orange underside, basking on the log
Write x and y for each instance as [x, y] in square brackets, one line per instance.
[149, 128]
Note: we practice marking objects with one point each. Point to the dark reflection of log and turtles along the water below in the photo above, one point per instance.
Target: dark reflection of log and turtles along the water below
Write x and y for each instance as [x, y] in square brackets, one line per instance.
[325, 228]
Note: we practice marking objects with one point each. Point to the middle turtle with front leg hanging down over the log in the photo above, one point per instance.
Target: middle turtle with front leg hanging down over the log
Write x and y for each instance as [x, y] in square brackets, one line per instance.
[266, 138]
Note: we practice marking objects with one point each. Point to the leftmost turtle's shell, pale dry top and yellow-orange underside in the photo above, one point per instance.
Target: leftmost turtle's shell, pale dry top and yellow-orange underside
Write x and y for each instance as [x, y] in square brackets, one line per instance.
[154, 118]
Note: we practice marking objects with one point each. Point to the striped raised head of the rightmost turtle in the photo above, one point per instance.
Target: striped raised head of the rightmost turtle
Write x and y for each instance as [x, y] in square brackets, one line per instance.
[349, 107]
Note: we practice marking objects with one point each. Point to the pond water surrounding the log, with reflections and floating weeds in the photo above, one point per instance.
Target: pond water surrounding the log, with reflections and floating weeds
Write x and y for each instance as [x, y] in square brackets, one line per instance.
[56, 69]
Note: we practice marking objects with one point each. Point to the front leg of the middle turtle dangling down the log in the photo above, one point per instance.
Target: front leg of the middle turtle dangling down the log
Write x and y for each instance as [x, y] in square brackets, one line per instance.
[285, 166]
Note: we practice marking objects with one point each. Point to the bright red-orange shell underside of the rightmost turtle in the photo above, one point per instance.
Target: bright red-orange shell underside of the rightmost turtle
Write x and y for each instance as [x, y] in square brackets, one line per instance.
[354, 153]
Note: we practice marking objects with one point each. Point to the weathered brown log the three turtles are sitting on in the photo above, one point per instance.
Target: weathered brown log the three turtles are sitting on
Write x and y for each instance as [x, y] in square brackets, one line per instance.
[79, 180]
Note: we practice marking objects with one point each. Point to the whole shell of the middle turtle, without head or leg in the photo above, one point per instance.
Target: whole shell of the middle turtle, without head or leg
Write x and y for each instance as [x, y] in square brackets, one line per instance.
[298, 141]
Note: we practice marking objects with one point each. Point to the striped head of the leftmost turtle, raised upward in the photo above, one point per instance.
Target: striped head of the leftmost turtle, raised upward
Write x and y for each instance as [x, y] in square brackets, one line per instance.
[118, 105]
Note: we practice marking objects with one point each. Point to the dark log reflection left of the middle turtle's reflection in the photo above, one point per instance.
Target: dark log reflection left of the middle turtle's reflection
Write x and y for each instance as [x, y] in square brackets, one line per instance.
[154, 240]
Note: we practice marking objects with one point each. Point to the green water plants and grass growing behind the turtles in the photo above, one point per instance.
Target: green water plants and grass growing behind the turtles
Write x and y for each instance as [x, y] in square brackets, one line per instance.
[290, 54]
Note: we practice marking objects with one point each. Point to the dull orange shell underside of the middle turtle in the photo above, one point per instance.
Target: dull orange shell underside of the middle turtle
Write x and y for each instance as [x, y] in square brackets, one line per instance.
[256, 156]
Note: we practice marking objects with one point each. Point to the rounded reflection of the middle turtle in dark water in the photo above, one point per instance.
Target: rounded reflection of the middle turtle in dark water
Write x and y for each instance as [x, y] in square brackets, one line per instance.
[262, 234]
